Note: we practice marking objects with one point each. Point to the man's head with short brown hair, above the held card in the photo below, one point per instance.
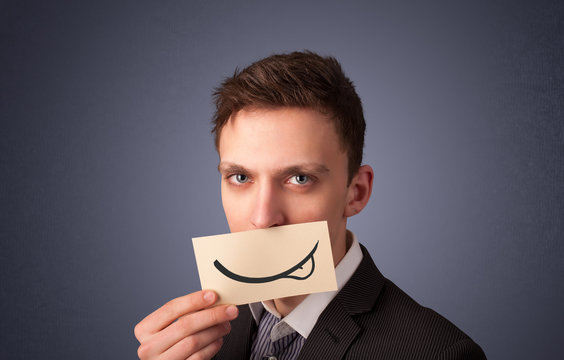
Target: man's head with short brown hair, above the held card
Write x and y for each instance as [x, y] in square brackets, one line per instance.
[286, 140]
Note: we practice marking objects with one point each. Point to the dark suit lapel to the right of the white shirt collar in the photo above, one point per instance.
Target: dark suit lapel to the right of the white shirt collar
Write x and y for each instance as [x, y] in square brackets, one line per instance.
[336, 329]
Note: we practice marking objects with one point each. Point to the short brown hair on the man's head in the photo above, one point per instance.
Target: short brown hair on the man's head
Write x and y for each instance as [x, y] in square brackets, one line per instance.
[298, 79]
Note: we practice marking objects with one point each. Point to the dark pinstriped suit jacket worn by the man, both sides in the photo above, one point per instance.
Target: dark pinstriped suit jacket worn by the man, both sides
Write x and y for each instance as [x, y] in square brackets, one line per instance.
[370, 318]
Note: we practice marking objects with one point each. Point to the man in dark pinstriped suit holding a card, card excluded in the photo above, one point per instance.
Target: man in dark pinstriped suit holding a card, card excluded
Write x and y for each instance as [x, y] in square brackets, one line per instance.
[290, 133]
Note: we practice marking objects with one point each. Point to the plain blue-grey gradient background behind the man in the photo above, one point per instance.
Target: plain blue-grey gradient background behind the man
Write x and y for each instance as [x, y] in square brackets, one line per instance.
[108, 168]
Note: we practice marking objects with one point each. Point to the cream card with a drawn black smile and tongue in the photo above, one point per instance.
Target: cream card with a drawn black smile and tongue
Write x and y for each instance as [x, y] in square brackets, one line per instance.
[256, 265]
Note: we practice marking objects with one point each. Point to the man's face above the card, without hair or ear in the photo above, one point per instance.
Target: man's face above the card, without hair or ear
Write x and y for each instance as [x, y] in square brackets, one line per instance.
[283, 166]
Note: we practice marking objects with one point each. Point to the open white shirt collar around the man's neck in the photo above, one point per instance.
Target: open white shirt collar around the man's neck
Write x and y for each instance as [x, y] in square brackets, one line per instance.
[303, 318]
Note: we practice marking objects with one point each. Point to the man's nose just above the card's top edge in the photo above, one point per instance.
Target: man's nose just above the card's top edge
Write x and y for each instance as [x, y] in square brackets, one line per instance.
[268, 207]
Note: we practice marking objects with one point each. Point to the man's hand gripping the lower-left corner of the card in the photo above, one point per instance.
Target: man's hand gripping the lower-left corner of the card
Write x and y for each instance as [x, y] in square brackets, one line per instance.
[197, 333]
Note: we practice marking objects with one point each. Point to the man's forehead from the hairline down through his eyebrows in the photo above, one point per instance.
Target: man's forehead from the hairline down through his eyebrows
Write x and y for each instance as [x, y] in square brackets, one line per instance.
[277, 139]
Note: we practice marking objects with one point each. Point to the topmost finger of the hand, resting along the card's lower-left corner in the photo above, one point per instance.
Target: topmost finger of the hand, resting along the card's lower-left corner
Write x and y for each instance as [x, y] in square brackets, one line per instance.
[172, 310]
